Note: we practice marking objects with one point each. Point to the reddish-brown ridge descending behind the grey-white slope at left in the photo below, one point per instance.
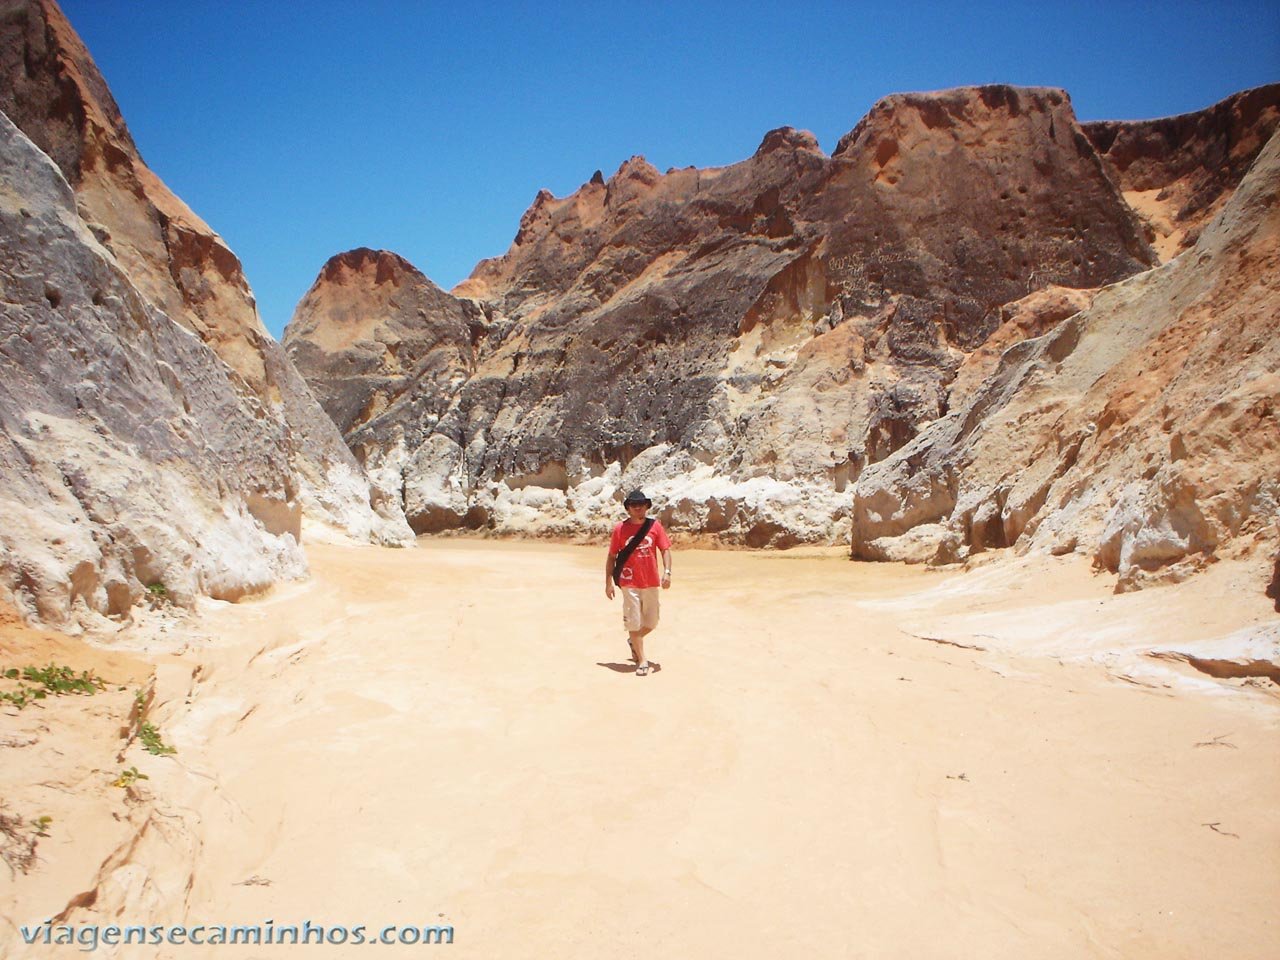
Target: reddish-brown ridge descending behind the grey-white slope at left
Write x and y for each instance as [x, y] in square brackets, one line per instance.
[54, 93]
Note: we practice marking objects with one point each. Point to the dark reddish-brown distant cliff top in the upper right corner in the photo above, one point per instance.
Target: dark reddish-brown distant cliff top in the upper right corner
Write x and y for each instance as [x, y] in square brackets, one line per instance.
[1178, 172]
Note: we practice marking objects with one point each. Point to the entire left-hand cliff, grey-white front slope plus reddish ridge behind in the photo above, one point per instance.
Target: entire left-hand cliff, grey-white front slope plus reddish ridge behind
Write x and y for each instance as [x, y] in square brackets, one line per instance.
[150, 432]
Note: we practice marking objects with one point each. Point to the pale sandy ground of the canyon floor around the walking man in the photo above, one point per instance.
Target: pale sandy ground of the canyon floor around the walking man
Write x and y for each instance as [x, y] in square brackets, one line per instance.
[454, 735]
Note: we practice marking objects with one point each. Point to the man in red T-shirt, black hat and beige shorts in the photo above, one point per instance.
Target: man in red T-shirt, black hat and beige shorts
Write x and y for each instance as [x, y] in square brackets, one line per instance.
[638, 543]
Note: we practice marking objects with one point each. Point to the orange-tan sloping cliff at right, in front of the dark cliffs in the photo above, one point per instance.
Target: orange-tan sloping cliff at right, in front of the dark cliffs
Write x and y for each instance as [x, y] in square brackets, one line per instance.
[1142, 431]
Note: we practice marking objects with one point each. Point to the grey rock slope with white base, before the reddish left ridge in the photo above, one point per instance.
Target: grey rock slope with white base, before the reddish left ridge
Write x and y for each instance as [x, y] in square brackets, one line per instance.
[129, 459]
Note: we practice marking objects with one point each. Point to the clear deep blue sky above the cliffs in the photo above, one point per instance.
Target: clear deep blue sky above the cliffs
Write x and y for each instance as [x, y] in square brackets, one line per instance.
[303, 130]
